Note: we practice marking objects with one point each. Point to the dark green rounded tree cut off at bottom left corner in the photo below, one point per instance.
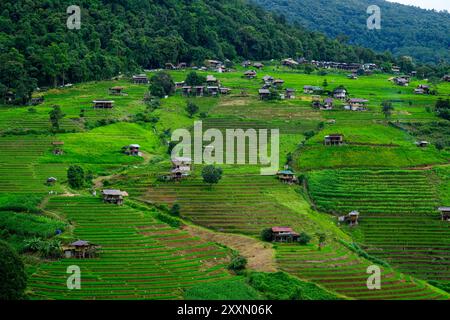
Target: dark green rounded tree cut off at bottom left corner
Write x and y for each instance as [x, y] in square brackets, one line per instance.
[13, 278]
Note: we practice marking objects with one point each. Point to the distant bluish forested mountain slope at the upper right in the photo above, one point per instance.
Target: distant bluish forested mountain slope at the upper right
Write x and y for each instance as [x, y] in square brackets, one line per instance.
[405, 30]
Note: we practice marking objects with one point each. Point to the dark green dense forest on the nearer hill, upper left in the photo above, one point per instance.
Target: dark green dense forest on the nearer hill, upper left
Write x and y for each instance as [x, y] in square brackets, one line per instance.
[37, 48]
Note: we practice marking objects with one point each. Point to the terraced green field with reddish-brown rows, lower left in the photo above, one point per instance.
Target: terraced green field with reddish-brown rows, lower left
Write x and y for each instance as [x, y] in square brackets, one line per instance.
[141, 258]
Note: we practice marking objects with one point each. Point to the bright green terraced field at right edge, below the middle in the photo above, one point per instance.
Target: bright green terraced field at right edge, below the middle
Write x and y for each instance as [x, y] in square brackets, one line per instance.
[399, 221]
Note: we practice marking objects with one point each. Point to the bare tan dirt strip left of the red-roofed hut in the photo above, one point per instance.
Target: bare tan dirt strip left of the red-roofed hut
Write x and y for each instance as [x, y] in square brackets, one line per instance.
[260, 255]
